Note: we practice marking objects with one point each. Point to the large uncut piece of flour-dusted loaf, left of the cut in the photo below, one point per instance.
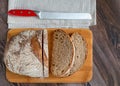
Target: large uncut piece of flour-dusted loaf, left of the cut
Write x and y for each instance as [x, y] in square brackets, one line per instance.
[22, 55]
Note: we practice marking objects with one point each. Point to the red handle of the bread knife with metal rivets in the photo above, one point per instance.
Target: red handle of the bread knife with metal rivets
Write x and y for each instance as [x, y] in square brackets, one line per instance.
[22, 12]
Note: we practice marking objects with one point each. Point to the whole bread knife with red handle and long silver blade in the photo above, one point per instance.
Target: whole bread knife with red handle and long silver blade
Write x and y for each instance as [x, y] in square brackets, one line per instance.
[48, 15]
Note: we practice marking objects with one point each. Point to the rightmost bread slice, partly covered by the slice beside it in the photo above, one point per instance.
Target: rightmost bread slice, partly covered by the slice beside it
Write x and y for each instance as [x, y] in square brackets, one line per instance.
[80, 52]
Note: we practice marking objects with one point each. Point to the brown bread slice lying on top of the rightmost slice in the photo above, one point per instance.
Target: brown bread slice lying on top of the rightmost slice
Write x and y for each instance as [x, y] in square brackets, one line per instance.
[62, 53]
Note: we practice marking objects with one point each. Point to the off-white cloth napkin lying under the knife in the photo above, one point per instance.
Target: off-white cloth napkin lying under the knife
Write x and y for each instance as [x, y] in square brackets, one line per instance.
[82, 6]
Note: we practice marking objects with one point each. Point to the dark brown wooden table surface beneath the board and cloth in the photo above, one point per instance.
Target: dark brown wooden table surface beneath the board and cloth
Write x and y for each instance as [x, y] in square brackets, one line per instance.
[106, 47]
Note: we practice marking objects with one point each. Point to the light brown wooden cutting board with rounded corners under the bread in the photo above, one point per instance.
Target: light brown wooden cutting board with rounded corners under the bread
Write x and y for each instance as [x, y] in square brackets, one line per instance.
[81, 76]
